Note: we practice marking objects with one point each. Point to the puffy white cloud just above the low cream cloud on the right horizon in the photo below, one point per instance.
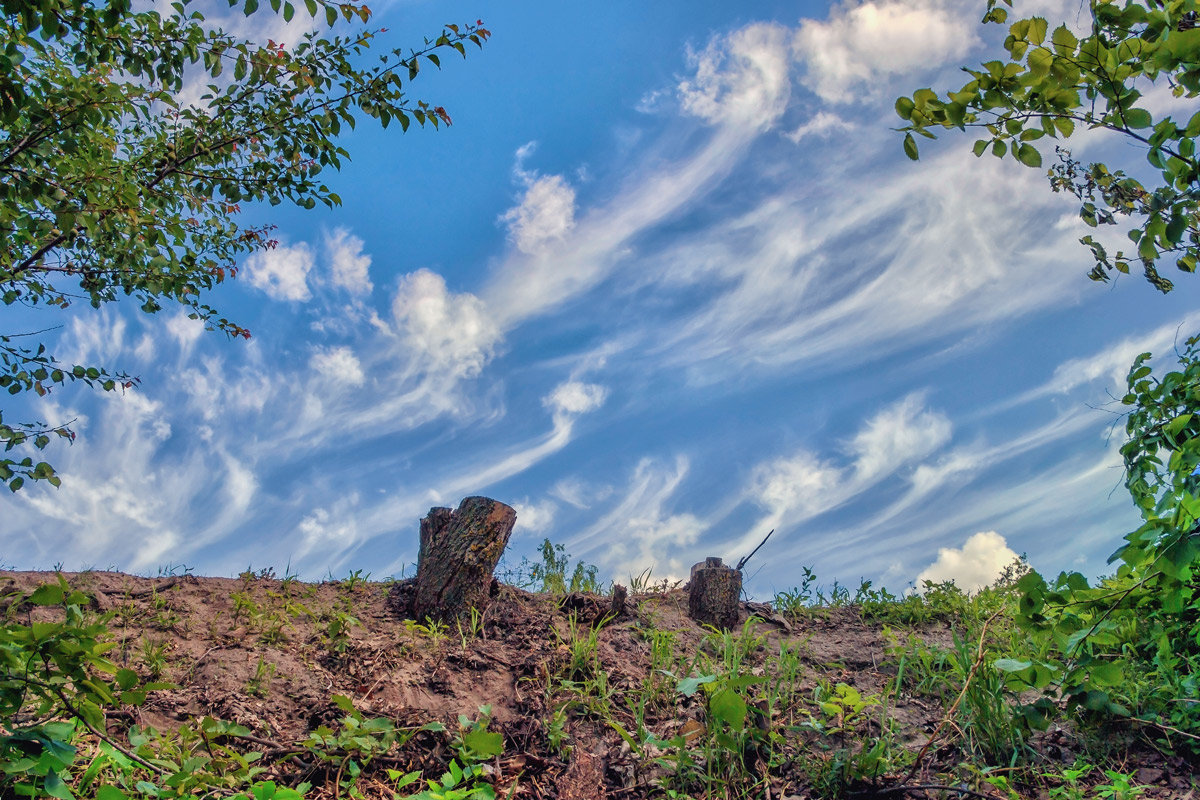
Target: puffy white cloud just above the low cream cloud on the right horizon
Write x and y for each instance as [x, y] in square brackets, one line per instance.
[899, 435]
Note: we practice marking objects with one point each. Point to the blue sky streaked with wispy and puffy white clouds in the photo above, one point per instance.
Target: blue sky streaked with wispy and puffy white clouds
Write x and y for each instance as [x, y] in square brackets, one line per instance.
[668, 284]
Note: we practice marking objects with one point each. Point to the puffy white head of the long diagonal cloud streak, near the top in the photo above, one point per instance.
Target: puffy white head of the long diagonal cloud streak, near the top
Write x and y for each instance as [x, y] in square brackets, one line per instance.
[741, 80]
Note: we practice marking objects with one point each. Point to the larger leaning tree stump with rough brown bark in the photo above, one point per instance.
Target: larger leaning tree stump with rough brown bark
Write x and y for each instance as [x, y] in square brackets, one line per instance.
[459, 552]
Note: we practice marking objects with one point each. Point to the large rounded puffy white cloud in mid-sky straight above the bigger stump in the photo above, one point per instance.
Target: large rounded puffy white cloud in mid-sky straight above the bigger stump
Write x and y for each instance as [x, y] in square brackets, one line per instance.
[448, 332]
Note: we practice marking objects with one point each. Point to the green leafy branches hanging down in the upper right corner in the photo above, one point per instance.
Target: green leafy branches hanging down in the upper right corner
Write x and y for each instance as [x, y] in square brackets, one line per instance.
[1052, 85]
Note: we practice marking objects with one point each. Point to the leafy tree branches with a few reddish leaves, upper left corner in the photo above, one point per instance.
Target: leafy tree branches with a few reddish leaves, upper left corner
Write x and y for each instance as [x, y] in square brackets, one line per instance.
[131, 140]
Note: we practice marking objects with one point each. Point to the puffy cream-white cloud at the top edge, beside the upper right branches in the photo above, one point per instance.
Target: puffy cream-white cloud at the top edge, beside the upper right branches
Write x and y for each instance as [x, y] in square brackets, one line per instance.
[862, 43]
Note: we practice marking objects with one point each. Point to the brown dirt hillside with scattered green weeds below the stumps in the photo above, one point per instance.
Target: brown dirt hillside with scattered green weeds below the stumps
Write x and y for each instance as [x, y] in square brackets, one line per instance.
[333, 689]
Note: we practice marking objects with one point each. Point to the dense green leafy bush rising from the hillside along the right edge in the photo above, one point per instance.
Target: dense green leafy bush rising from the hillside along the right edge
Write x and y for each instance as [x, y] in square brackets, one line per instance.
[1130, 646]
